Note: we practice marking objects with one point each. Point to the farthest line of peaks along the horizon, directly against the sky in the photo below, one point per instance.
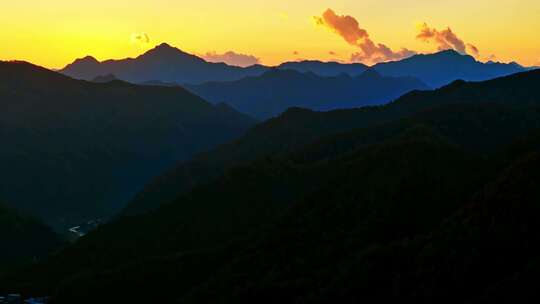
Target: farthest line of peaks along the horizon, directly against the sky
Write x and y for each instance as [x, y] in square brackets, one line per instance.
[168, 64]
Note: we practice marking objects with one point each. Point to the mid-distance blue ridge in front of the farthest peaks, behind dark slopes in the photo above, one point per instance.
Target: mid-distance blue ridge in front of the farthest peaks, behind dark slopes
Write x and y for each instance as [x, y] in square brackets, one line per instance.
[277, 90]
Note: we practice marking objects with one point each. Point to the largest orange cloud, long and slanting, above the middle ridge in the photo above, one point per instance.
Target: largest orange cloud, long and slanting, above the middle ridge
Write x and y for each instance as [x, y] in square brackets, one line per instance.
[349, 29]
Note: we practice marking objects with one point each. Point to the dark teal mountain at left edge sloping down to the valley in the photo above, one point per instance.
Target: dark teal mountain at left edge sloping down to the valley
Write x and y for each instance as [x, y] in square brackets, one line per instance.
[75, 151]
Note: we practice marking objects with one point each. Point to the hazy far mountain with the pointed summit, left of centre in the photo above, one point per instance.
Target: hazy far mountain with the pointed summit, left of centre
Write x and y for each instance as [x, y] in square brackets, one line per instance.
[163, 63]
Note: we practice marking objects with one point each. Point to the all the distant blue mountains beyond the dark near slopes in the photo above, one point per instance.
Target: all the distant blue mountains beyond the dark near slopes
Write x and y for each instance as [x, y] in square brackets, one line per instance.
[265, 92]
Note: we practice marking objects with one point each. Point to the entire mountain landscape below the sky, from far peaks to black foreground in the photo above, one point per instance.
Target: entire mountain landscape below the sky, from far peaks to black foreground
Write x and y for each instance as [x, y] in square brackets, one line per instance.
[309, 182]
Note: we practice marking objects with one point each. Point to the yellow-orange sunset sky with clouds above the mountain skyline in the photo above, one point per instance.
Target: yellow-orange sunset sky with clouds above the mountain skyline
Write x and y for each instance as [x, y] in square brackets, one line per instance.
[53, 33]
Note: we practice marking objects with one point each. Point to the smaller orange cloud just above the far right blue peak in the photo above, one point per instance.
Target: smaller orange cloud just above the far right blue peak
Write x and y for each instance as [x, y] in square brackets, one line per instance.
[445, 40]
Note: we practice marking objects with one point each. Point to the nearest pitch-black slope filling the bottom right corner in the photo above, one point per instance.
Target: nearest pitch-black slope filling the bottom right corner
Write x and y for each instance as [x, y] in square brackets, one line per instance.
[488, 251]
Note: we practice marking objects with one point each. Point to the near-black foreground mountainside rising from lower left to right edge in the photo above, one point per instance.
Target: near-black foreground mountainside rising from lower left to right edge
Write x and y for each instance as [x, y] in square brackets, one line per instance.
[431, 198]
